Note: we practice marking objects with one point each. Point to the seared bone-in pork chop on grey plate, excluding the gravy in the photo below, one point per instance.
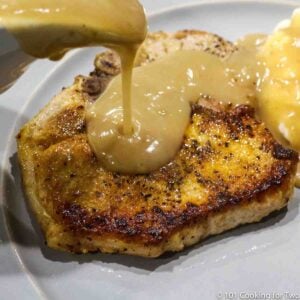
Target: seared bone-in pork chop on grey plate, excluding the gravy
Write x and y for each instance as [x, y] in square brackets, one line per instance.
[229, 170]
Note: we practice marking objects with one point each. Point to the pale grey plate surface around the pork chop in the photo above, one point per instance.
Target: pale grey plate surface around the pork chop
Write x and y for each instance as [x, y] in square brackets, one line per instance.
[261, 257]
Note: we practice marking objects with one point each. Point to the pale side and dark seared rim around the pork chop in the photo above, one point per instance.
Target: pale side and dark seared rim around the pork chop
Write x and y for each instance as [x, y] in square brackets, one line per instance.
[174, 232]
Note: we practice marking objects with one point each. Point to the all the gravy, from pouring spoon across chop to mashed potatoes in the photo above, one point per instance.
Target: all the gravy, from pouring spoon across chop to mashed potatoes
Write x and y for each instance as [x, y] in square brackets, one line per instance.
[141, 133]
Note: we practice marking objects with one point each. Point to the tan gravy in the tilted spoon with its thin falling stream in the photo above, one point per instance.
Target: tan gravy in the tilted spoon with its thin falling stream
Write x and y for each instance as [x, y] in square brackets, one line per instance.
[49, 28]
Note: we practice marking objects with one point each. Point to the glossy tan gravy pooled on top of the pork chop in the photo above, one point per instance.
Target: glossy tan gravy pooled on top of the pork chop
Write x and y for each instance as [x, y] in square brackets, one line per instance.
[162, 94]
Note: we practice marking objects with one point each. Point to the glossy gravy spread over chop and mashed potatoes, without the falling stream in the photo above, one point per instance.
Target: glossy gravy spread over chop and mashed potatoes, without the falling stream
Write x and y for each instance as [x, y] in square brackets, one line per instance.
[164, 91]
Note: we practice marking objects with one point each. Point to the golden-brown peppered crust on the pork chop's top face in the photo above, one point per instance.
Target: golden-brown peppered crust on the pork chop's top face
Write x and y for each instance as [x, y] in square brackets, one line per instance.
[143, 208]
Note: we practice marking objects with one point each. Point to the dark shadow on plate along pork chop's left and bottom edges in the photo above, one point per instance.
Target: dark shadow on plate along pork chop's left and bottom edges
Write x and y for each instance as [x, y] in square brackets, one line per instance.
[29, 235]
